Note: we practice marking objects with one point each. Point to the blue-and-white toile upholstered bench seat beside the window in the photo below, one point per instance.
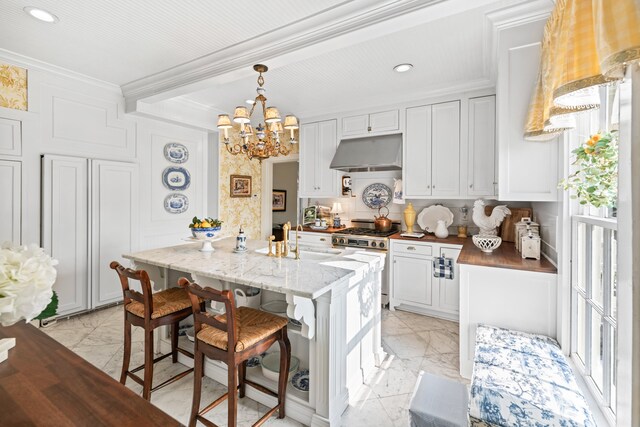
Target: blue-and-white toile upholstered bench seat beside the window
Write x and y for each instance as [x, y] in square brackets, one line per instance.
[523, 379]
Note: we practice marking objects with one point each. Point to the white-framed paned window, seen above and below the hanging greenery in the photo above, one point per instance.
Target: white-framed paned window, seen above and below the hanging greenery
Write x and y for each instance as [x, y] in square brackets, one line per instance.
[594, 279]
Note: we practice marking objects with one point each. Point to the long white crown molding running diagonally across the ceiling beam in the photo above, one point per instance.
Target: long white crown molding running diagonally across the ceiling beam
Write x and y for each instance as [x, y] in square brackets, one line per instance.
[343, 19]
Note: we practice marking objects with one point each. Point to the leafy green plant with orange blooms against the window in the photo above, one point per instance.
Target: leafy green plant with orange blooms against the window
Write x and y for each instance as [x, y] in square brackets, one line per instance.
[595, 180]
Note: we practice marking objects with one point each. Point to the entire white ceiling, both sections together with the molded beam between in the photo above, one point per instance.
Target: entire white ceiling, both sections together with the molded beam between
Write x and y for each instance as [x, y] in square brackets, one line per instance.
[139, 43]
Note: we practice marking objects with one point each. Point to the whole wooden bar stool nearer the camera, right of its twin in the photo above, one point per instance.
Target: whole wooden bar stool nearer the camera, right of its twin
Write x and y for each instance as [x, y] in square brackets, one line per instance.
[233, 338]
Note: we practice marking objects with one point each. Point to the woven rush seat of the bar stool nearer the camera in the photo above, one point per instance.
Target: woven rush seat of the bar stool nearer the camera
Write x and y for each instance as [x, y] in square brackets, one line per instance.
[252, 326]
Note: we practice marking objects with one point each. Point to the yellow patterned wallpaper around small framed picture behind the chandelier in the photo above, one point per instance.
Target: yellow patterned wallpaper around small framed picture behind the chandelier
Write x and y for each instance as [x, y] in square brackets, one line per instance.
[241, 211]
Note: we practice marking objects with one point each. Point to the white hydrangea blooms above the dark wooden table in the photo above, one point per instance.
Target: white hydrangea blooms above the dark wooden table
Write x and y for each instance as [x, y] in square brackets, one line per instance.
[27, 275]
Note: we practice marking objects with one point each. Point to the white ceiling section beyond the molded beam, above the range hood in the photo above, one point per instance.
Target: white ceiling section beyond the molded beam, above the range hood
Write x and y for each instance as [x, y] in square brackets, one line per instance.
[448, 52]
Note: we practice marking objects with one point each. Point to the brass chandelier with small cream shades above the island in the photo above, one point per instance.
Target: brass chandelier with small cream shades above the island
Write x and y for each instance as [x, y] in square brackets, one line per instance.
[265, 141]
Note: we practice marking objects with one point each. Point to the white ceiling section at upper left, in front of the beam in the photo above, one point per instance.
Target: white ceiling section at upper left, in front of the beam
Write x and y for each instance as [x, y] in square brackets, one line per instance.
[119, 41]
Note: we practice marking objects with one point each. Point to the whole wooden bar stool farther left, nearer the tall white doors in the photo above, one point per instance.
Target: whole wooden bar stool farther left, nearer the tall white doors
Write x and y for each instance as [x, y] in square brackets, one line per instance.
[149, 311]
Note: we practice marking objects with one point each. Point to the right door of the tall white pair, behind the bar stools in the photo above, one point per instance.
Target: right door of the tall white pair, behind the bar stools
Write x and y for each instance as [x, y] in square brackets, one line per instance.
[114, 225]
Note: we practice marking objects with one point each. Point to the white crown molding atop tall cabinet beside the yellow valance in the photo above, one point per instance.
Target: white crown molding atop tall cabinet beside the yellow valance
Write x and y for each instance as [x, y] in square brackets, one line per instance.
[509, 17]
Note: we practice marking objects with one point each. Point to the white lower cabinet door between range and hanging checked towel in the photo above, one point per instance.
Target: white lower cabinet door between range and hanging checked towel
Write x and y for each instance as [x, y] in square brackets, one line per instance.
[412, 280]
